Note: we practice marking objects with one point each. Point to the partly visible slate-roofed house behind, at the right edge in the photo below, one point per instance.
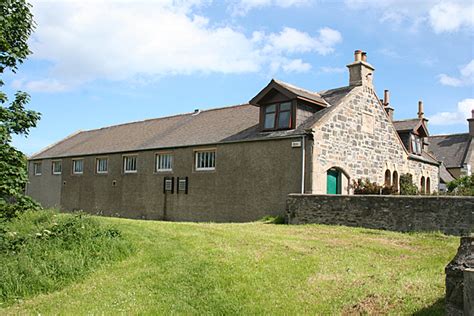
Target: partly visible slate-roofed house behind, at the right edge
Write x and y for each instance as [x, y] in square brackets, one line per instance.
[456, 151]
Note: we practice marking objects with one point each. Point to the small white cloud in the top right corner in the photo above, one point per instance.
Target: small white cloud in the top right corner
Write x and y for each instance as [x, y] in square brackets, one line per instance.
[451, 16]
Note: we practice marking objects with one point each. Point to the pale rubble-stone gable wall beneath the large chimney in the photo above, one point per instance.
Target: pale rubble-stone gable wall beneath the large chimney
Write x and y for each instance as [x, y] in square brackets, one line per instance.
[359, 138]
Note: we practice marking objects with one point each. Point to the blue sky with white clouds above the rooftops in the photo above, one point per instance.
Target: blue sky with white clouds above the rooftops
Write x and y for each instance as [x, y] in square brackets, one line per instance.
[99, 63]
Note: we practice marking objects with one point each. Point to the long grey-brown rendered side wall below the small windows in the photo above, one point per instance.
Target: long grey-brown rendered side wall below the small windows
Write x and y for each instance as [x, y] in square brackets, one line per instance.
[251, 180]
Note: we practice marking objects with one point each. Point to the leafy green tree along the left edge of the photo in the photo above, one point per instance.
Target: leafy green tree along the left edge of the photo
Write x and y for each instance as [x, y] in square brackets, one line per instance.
[16, 26]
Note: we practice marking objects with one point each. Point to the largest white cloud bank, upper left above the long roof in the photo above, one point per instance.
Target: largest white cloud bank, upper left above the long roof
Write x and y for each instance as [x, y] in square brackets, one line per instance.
[119, 40]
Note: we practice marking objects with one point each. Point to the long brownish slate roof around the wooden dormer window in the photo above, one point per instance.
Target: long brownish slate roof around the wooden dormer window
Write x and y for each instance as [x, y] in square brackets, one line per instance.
[228, 124]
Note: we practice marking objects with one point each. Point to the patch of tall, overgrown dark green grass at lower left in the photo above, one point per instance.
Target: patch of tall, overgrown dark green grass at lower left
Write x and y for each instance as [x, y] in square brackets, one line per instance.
[43, 251]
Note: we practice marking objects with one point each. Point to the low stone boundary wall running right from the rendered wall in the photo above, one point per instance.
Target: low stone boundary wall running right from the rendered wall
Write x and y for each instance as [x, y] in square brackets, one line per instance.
[450, 215]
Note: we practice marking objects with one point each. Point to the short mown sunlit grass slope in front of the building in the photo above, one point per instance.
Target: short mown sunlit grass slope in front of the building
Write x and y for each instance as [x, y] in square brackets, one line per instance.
[260, 268]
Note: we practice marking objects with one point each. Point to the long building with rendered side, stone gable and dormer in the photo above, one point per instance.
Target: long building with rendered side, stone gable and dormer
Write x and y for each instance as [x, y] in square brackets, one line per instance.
[236, 163]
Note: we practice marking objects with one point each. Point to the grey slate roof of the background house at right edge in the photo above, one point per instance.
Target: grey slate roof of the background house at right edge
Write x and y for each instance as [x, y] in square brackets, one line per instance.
[450, 149]
